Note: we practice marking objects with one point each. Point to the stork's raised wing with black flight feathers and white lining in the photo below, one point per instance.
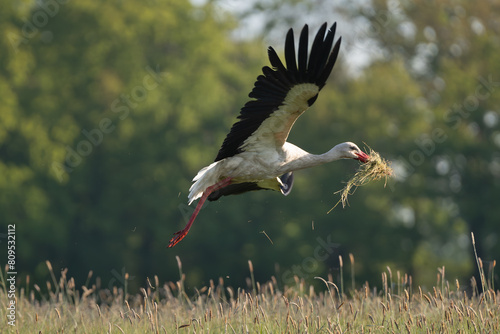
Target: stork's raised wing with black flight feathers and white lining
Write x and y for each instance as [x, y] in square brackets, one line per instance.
[282, 93]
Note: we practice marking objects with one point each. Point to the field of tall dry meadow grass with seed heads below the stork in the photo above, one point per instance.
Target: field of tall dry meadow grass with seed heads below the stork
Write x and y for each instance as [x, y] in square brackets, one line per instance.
[395, 307]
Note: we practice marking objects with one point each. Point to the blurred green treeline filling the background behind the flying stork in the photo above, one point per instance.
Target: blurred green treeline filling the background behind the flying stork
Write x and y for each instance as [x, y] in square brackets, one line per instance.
[108, 109]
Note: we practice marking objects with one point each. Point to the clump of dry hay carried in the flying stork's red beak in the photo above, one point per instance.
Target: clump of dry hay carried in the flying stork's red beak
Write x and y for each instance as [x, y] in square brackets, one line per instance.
[374, 169]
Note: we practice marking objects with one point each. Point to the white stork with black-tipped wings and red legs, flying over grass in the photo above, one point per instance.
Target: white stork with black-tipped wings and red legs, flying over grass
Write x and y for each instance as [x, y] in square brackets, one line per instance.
[255, 154]
